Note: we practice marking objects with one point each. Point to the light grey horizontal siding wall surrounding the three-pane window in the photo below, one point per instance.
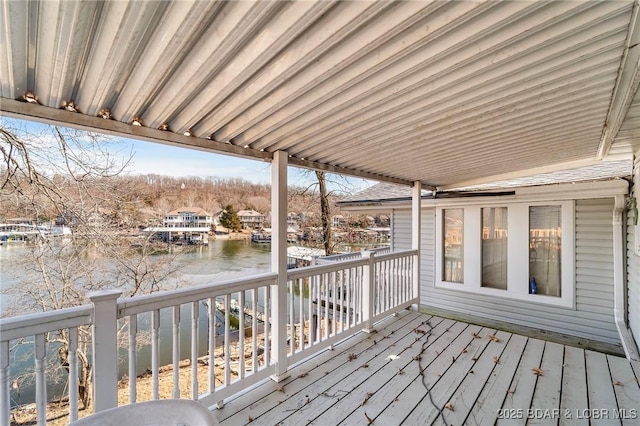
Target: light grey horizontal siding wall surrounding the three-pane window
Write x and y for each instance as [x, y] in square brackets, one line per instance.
[592, 317]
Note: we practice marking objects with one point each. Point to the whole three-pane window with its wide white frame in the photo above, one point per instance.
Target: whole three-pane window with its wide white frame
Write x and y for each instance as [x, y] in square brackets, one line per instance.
[497, 250]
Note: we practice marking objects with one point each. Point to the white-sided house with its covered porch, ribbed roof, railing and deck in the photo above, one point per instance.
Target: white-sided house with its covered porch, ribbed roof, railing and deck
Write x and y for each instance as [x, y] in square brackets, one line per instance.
[465, 320]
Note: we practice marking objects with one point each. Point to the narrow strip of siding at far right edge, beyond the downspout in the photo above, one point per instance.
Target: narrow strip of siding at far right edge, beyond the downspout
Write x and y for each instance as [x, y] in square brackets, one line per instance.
[633, 265]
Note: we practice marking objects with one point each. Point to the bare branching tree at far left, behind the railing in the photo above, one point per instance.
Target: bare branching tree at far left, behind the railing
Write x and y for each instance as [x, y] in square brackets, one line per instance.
[69, 176]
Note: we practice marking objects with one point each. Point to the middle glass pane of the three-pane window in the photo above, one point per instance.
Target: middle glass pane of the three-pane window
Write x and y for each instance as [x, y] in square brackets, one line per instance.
[494, 247]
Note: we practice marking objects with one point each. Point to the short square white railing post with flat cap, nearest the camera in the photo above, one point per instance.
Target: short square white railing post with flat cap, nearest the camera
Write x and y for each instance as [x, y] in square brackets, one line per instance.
[105, 348]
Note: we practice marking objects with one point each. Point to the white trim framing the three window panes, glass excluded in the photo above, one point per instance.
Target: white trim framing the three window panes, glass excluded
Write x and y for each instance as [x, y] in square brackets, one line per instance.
[518, 252]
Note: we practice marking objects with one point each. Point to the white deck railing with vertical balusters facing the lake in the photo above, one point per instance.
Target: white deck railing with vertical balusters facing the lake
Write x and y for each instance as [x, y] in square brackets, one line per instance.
[325, 304]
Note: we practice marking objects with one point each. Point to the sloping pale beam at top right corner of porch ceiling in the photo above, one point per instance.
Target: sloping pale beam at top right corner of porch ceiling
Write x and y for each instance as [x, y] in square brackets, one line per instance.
[626, 85]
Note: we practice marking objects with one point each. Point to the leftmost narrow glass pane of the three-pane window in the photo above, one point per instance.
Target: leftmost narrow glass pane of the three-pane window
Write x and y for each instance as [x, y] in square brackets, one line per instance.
[453, 252]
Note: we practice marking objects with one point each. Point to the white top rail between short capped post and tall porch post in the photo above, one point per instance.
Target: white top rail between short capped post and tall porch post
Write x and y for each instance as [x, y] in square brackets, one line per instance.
[139, 304]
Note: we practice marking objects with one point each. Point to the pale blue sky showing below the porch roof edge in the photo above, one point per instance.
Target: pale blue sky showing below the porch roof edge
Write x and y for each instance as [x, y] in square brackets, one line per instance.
[160, 159]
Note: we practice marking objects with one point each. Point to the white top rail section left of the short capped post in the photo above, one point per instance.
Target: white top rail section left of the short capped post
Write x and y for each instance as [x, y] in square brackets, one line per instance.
[44, 322]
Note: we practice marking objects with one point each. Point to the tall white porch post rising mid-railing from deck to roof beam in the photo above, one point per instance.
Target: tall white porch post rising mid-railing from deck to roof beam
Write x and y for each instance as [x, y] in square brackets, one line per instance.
[279, 263]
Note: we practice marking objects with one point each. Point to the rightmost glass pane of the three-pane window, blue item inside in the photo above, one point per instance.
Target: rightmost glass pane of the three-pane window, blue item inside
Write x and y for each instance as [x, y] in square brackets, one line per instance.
[545, 232]
